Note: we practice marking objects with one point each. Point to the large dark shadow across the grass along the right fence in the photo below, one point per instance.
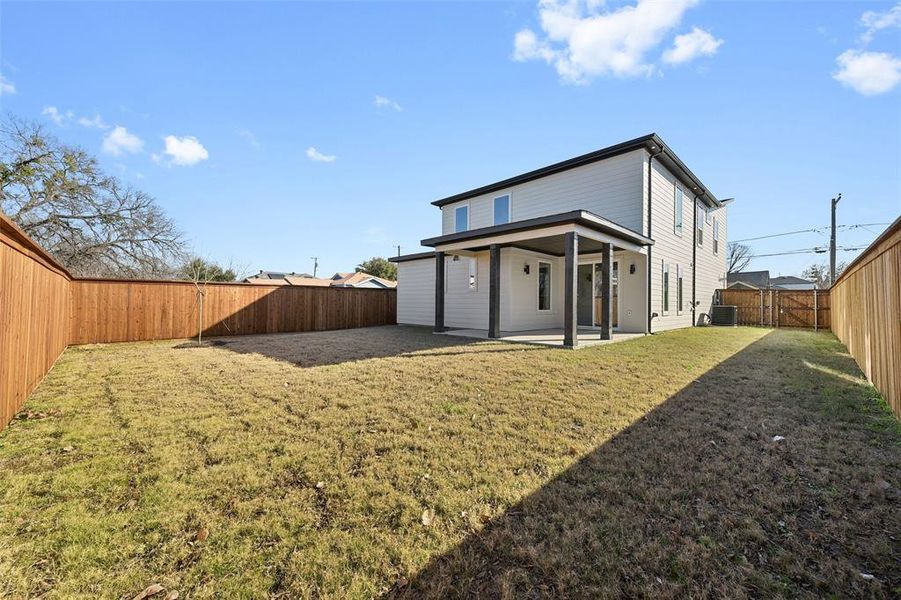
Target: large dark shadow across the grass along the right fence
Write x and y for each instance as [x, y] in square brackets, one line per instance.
[697, 498]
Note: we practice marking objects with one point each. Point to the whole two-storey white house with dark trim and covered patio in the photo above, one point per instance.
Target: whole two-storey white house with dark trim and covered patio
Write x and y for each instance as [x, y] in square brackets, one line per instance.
[624, 239]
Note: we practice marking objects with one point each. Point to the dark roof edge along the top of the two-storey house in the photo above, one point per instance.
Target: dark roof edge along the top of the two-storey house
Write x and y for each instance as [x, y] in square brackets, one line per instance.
[651, 142]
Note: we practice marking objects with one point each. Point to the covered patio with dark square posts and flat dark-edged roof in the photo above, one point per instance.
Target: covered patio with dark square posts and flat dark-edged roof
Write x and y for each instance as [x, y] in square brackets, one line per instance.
[568, 236]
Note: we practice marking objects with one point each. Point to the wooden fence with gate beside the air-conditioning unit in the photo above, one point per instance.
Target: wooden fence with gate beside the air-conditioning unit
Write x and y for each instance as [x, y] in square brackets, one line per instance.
[780, 308]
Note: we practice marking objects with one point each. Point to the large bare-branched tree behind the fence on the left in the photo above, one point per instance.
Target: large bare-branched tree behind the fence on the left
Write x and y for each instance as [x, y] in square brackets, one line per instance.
[89, 221]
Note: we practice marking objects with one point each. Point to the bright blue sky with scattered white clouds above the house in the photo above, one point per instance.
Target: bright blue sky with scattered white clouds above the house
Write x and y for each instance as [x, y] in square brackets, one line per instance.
[257, 125]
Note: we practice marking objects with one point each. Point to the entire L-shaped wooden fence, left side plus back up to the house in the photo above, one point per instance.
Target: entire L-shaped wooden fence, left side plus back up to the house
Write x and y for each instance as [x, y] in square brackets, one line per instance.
[43, 309]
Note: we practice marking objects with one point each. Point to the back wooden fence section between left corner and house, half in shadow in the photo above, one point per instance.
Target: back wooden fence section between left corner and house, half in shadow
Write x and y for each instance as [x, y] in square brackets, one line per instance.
[127, 311]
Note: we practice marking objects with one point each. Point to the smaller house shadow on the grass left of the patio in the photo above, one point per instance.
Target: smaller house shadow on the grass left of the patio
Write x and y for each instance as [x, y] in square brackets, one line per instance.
[320, 348]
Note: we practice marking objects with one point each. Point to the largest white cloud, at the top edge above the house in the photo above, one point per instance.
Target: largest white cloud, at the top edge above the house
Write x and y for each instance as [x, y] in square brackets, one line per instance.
[582, 40]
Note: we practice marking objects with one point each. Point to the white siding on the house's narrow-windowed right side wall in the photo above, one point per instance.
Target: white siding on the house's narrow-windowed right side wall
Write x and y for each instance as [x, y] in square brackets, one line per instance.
[669, 248]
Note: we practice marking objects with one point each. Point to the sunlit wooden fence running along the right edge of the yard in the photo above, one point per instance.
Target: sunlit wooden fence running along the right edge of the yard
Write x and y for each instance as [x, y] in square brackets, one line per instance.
[866, 313]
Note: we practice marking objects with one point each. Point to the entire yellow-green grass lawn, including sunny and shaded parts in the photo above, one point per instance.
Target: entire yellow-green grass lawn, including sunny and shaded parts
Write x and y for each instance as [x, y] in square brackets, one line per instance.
[389, 461]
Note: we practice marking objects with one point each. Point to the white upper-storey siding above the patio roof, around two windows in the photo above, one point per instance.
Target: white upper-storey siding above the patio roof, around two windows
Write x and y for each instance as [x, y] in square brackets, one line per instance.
[610, 188]
